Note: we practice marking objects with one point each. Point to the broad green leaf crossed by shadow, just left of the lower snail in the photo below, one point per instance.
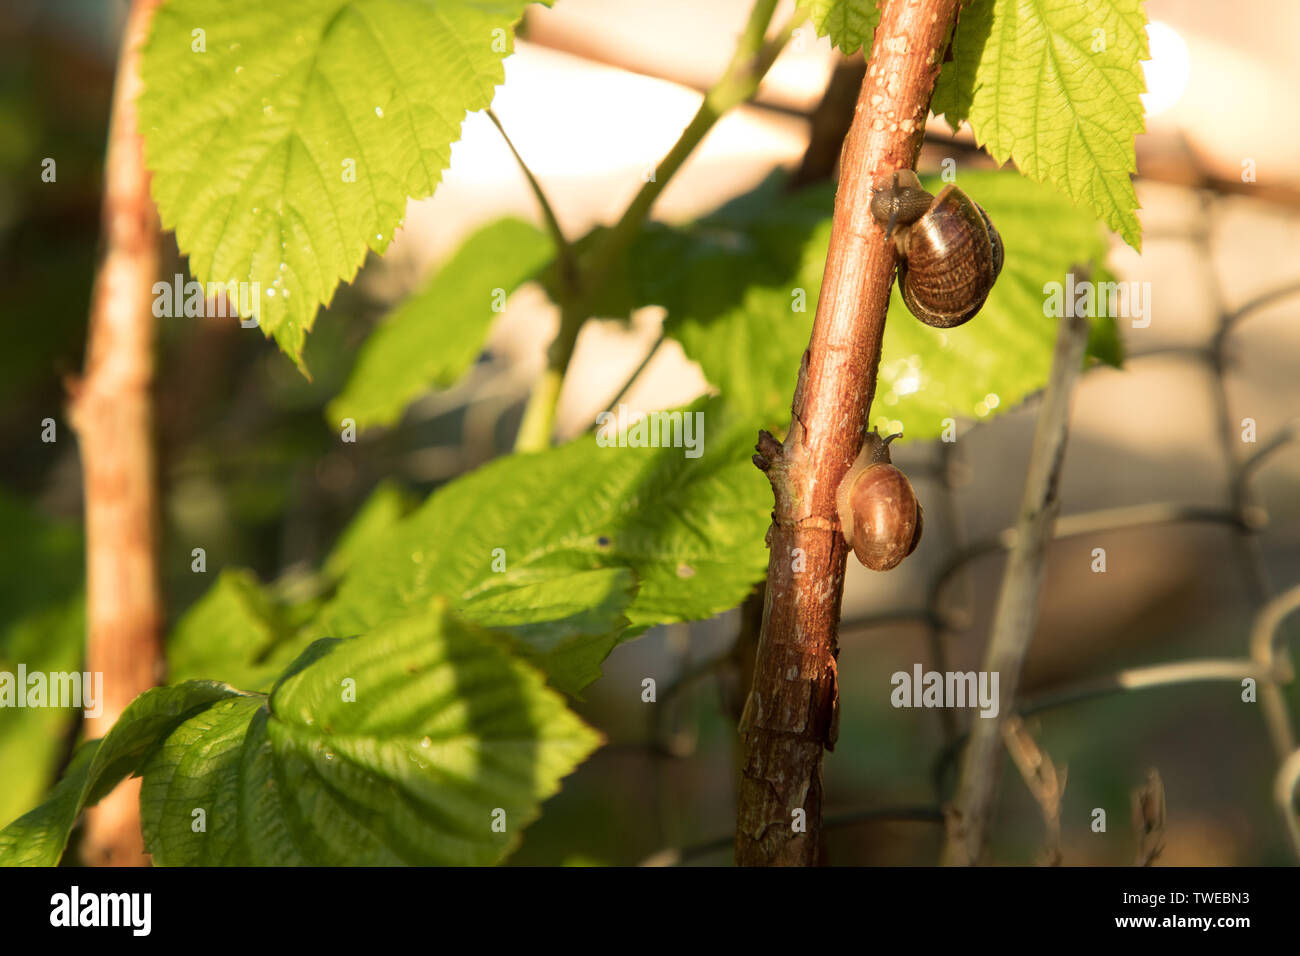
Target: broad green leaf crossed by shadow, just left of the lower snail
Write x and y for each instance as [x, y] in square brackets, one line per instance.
[690, 530]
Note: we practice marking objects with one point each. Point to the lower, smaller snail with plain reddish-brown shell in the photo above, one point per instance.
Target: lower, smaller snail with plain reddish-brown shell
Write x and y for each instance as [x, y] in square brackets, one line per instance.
[879, 514]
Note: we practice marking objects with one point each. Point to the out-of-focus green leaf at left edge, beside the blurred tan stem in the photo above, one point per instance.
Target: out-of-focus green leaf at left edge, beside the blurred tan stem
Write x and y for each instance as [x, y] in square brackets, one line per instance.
[42, 628]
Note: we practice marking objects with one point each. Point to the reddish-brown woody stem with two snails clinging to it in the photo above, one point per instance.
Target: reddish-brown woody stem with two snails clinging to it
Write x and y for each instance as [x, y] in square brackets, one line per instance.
[791, 715]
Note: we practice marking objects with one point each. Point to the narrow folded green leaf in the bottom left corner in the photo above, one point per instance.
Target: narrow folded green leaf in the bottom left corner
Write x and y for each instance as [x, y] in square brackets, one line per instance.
[40, 837]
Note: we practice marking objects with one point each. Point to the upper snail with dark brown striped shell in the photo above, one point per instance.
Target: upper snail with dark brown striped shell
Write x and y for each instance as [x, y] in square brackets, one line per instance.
[951, 253]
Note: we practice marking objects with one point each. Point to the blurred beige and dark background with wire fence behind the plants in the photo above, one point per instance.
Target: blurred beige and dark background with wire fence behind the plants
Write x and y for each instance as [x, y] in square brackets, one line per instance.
[596, 93]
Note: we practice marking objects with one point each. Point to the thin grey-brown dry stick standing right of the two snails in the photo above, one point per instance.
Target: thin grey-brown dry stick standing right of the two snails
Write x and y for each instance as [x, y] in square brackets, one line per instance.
[1019, 600]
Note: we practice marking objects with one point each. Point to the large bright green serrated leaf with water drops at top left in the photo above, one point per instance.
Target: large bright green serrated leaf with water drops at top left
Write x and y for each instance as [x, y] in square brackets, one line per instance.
[287, 137]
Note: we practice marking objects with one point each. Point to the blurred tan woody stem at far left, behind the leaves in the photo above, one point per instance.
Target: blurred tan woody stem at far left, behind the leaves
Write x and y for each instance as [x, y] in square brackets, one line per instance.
[111, 410]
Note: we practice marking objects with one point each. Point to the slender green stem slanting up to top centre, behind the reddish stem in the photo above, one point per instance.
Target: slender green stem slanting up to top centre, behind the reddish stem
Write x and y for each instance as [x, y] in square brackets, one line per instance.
[749, 64]
